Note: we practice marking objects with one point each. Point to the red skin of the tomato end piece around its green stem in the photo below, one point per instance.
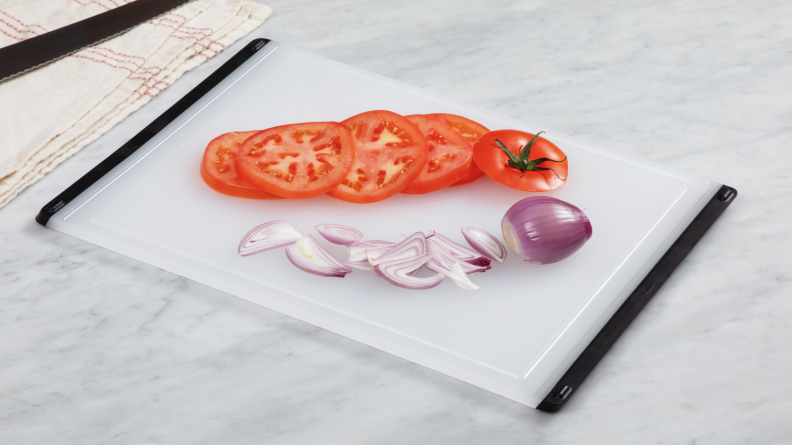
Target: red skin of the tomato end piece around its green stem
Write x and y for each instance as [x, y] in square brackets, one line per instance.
[494, 161]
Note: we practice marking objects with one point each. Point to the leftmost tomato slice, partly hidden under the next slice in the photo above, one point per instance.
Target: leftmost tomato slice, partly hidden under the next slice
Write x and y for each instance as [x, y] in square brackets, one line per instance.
[218, 170]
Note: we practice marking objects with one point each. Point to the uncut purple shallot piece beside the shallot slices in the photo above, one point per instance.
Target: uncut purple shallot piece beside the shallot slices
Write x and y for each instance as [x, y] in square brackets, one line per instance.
[545, 230]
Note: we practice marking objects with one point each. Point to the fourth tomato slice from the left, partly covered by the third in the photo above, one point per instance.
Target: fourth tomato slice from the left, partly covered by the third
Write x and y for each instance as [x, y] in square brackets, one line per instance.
[450, 156]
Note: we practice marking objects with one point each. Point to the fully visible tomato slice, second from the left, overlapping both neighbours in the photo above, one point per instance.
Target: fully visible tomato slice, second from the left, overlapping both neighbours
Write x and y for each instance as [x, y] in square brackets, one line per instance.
[297, 161]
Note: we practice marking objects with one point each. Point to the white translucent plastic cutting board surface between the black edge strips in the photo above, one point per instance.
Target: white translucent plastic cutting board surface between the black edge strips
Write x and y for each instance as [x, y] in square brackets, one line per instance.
[515, 336]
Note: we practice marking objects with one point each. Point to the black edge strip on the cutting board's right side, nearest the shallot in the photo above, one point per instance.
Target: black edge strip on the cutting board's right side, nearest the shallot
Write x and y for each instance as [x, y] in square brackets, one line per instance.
[618, 323]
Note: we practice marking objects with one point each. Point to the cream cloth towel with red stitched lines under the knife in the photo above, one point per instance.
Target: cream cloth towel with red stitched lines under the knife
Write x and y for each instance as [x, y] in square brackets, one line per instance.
[50, 113]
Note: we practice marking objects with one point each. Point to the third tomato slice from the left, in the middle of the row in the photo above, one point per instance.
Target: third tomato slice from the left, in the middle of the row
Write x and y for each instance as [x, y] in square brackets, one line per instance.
[389, 153]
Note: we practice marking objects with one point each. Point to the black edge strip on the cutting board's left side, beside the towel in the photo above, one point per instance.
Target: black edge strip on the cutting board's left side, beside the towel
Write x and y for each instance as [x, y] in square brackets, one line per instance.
[150, 131]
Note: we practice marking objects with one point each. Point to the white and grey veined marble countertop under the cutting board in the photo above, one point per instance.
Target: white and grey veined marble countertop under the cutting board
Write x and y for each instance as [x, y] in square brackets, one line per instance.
[99, 348]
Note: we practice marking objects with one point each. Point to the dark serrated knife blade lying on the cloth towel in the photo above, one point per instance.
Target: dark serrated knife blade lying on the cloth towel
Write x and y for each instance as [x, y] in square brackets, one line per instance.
[36, 51]
